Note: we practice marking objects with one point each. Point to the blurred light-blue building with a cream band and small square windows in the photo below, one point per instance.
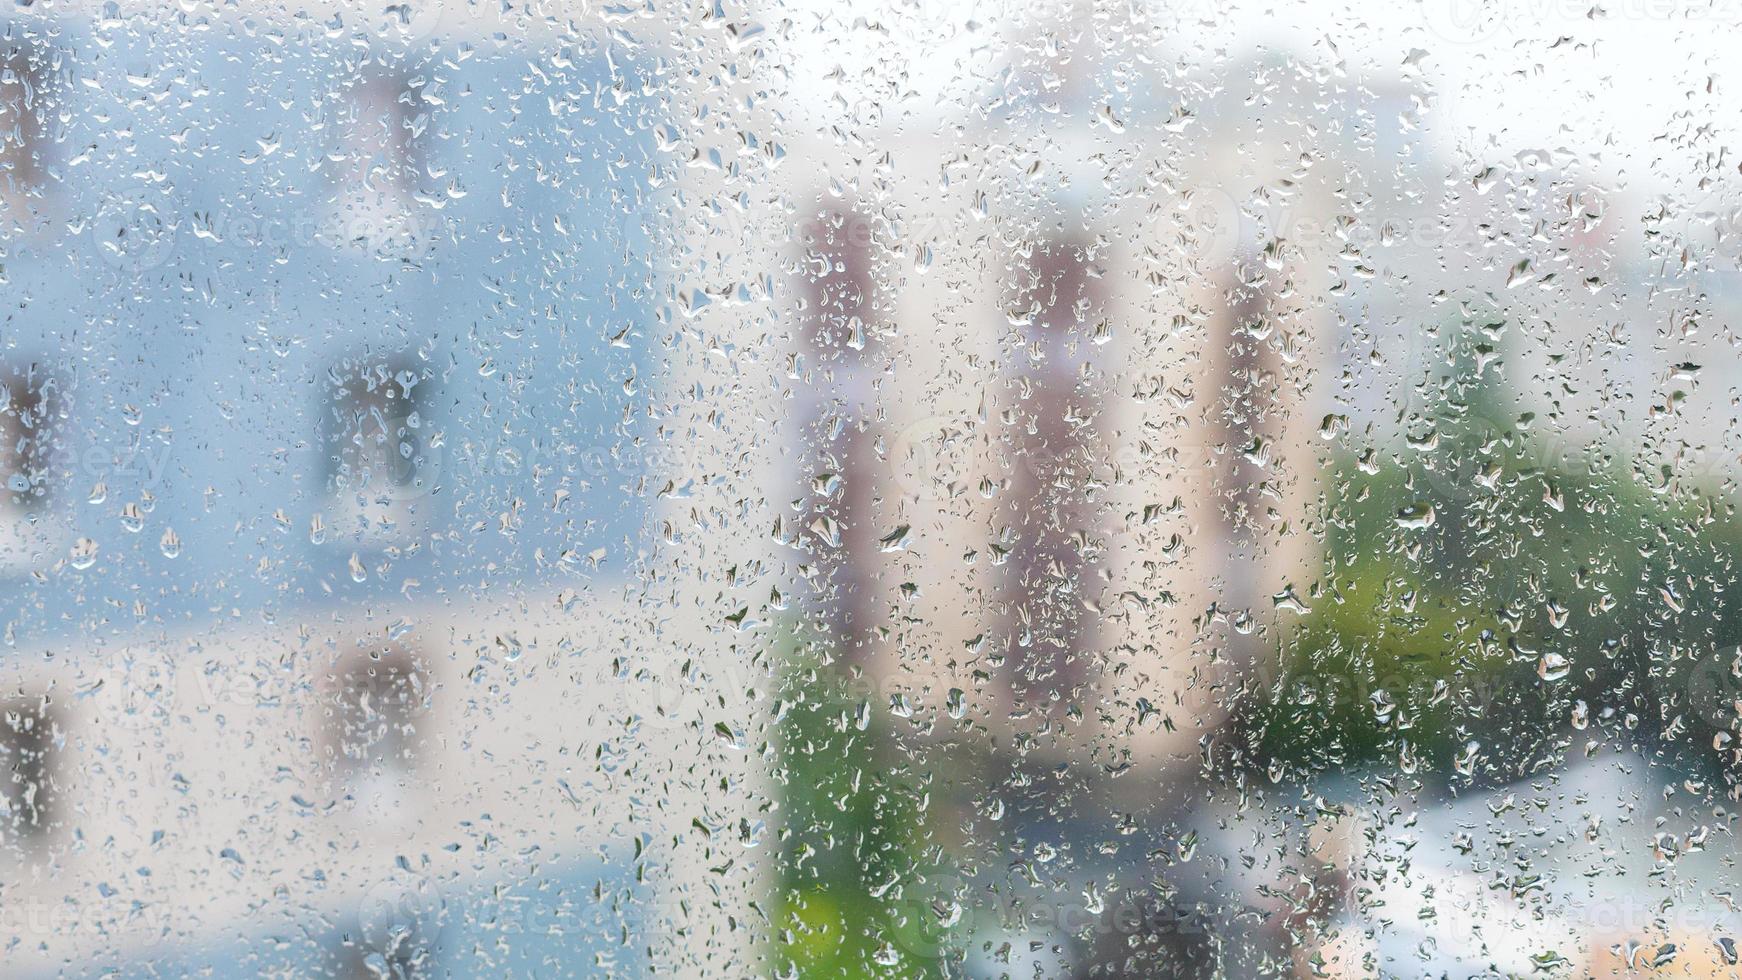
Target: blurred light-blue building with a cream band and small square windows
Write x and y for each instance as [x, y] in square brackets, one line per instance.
[321, 480]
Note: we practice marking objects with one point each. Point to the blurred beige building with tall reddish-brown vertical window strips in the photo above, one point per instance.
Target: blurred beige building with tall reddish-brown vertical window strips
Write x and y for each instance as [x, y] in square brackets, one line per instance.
[1055, 448]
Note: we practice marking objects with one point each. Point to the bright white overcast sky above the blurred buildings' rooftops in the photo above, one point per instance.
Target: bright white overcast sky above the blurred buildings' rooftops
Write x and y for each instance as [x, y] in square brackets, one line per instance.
[1513, 76]
